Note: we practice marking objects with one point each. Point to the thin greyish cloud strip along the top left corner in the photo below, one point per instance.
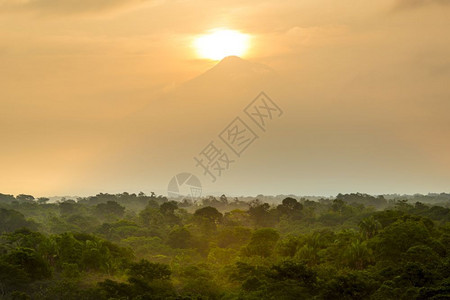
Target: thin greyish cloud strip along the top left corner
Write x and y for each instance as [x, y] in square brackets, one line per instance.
[68, 6]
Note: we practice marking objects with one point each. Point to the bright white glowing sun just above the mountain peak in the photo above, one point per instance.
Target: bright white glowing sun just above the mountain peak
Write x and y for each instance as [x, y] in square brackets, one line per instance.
[220, 43]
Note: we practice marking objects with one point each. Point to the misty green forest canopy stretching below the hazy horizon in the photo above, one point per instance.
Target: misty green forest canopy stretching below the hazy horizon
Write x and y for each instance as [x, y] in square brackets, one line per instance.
[128, 246]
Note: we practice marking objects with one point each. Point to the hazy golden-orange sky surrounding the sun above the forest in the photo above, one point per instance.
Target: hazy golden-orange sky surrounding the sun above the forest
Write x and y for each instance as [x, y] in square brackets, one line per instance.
[111, 96]
